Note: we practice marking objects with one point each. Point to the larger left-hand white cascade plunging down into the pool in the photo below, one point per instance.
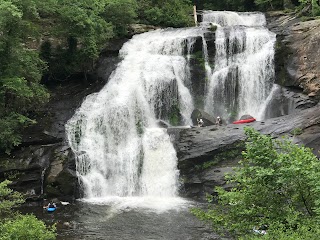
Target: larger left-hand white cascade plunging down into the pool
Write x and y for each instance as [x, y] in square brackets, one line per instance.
[120, 150]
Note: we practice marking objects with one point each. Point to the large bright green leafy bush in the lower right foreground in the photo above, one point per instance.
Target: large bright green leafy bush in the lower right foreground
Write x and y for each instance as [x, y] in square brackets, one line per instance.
[277, 185]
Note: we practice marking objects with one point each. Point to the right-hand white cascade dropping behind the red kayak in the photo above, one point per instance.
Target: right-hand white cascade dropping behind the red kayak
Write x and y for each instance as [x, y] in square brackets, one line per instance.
[243, 75]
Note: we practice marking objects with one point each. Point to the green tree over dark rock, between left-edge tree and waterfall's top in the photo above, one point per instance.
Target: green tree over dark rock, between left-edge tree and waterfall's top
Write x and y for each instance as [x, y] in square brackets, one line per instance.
[80, 31]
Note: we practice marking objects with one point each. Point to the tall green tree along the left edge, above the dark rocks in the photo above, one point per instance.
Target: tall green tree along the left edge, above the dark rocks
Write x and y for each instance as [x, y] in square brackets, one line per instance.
[20, 70]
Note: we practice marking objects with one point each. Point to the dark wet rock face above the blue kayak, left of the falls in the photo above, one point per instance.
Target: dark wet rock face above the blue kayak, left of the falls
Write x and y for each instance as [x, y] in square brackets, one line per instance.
[37, 170]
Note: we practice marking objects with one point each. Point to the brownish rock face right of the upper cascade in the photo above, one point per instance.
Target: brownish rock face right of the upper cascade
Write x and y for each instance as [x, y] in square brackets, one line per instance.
[297, 52]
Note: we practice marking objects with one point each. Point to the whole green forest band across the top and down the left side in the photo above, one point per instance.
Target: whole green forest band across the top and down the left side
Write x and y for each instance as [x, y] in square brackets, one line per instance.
[46, 42]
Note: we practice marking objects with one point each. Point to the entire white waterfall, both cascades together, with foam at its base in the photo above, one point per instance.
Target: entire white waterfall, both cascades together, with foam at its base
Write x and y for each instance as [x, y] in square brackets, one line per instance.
[123, 157]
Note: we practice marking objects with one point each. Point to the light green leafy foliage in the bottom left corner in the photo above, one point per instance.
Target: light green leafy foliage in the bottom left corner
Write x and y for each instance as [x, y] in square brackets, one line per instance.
[14, 226]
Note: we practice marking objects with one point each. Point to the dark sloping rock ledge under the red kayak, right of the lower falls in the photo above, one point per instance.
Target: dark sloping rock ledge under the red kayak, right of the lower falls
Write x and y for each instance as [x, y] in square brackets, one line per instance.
[206, 153]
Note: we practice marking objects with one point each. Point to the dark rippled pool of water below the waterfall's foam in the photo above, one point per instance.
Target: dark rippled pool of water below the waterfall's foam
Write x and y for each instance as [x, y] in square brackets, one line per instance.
[88, 221]
